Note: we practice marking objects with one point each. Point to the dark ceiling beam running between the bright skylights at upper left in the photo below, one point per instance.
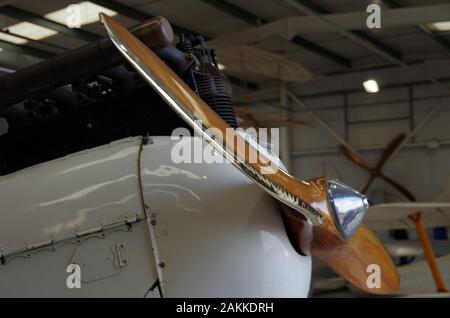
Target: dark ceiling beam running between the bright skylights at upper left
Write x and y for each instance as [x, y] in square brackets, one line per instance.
[24, 15]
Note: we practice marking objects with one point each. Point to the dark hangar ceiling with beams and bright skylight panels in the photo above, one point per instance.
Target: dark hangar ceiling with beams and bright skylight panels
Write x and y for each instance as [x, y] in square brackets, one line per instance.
[335, 61]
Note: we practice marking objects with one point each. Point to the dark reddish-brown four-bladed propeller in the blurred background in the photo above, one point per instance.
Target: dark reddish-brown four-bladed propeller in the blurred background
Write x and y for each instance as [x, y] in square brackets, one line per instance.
[376, 172]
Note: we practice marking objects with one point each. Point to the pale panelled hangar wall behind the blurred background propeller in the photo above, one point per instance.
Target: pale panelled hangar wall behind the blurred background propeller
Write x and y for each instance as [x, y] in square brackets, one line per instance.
[423, 170]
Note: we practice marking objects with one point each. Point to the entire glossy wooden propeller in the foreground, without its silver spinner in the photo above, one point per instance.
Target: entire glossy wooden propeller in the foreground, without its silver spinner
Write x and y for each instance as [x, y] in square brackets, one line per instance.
[308, 211]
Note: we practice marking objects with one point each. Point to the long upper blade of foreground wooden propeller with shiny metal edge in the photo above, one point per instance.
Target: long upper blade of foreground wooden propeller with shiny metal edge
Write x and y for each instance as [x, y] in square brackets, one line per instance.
[231, 144]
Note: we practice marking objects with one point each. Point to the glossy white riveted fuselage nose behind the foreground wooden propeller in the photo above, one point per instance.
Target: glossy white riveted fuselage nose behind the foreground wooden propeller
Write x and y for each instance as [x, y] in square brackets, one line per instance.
[129, 218]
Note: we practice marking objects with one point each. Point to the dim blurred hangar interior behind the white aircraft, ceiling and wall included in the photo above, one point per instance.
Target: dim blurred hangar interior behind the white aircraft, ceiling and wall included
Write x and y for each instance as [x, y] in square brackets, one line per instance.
[304, 66]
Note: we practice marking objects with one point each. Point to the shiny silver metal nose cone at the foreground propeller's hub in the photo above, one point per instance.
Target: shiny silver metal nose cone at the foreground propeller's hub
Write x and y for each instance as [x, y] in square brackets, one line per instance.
[348, 207]
